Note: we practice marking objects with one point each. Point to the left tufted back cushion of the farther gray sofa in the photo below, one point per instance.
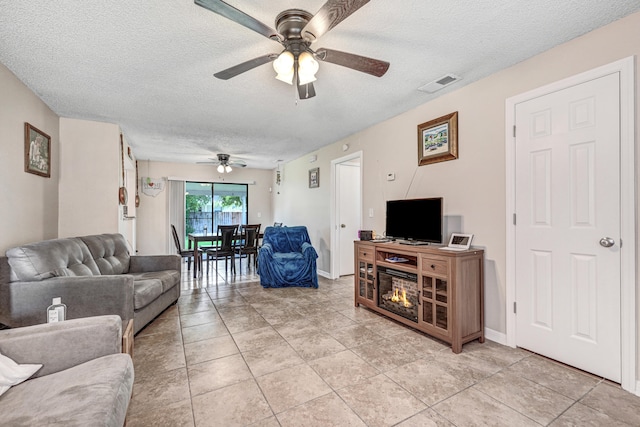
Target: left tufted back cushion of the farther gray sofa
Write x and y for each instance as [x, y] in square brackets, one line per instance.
[51, 258]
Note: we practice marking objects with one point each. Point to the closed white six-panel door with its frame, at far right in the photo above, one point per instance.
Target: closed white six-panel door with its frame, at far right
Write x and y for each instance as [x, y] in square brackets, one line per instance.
[570, 206]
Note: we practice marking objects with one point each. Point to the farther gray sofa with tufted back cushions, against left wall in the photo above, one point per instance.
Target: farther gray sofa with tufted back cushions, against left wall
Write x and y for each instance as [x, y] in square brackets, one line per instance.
[94, 275]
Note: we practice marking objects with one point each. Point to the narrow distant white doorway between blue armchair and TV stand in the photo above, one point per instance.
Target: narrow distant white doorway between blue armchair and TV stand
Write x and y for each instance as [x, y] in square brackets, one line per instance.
[346, 218]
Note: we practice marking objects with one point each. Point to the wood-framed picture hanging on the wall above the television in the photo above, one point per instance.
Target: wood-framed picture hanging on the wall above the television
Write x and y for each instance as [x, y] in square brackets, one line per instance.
[438, 140]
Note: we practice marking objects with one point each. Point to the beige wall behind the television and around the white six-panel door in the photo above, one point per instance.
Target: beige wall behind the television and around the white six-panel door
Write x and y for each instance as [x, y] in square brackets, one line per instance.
[473, 186]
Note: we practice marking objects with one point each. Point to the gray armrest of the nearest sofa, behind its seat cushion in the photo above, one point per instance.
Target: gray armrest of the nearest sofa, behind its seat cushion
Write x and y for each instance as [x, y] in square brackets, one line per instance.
[62, 345]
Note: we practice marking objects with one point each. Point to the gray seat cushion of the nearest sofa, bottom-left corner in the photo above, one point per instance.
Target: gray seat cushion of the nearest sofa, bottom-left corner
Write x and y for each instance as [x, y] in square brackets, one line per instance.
[93, 393]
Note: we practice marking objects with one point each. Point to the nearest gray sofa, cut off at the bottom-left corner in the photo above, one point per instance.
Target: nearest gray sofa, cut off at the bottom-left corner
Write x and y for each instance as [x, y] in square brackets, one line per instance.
[84, 380]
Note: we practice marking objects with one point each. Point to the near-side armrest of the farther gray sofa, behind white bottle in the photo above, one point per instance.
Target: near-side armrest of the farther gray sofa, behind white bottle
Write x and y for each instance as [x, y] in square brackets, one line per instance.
[25, 303]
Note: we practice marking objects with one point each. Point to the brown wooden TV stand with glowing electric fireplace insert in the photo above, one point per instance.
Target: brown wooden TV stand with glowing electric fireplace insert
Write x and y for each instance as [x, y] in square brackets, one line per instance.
[445, 289]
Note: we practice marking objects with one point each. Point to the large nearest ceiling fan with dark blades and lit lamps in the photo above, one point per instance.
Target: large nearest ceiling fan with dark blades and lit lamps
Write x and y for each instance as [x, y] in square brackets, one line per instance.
[296, 31]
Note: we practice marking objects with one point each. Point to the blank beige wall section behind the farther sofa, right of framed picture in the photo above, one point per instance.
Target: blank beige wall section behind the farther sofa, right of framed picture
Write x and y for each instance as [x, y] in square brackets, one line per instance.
[89, 178]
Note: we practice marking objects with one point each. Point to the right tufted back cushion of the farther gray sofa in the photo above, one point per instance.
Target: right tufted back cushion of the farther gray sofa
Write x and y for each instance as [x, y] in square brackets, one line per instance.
[109, 252]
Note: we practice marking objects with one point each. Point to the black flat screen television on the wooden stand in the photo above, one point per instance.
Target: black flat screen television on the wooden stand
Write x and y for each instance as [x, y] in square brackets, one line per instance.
[415, 219]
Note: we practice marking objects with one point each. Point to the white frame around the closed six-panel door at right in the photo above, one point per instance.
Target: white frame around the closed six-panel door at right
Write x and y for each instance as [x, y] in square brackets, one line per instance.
[628, 324]
